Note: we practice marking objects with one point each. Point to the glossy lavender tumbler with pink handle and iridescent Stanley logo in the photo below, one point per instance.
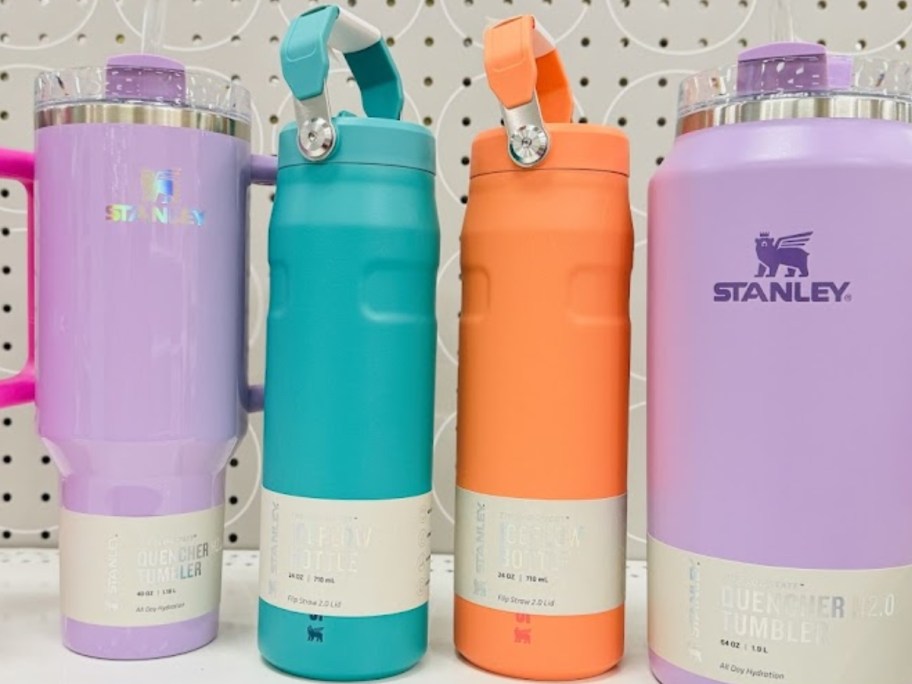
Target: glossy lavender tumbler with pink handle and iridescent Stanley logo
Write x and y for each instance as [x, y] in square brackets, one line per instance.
[141, 171]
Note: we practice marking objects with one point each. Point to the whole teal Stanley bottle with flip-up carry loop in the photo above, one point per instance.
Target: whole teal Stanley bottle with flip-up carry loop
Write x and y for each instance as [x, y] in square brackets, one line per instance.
[353, 254]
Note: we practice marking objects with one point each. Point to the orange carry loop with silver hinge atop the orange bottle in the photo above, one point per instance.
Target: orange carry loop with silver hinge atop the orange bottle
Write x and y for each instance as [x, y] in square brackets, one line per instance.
[527, 76]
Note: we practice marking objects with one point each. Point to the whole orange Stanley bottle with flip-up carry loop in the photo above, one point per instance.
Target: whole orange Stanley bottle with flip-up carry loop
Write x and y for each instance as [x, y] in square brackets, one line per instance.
[547, 250]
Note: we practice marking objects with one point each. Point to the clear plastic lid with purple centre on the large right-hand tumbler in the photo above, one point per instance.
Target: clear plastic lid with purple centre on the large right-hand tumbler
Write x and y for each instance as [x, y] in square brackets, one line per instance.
[794, 70]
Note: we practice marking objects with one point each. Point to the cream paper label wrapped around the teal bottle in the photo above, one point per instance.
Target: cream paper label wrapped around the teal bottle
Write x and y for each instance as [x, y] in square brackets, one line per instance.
[345, 558]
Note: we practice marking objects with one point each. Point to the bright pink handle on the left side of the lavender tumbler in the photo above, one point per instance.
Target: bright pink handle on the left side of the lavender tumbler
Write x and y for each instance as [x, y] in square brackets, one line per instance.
[20, 388]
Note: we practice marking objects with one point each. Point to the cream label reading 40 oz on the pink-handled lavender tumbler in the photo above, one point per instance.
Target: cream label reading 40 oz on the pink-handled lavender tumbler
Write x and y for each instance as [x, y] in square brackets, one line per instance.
[140, 571]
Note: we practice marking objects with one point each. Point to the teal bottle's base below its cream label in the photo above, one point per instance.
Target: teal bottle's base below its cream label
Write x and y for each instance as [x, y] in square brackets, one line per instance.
[342, 649]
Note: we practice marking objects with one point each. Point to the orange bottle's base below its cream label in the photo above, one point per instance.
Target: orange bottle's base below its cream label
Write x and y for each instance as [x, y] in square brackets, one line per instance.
[539, 647]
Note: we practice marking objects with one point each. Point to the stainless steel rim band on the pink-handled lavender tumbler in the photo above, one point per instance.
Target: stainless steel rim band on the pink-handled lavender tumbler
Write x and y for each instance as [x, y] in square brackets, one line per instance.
[152, 115]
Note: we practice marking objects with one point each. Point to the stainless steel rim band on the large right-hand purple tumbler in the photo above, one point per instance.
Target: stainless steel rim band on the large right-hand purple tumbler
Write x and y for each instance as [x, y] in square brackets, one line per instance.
[779, 109]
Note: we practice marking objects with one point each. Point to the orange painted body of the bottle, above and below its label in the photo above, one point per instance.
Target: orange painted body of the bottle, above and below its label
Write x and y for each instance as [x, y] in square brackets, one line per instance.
[543, 381]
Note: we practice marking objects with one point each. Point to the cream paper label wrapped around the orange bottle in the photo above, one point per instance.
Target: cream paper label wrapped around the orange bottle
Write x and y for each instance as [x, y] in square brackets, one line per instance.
[541, 557]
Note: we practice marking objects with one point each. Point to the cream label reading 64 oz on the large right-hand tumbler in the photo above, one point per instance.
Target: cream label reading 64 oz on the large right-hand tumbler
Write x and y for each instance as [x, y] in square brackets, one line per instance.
[736, 622]
